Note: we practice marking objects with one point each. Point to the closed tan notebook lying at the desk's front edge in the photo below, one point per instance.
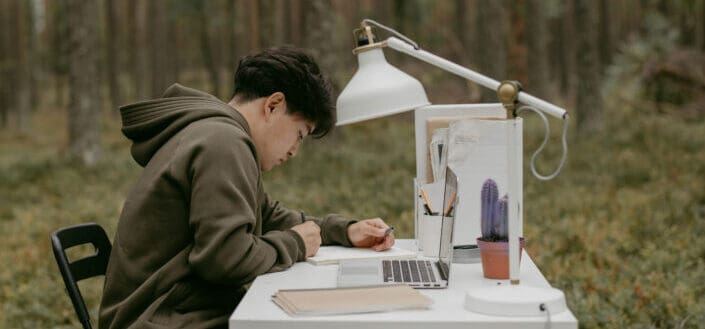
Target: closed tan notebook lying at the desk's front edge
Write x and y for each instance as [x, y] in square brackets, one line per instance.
[329, 301]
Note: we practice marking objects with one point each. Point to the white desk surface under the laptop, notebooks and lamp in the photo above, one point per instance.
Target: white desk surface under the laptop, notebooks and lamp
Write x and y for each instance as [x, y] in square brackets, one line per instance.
[257, 311]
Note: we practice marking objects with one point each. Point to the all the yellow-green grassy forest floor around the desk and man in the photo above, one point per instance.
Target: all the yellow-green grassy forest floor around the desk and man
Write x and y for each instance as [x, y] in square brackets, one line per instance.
[619, 231]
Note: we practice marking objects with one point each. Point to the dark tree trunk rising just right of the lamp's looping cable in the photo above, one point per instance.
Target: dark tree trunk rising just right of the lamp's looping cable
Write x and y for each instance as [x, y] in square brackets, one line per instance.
[589, 99]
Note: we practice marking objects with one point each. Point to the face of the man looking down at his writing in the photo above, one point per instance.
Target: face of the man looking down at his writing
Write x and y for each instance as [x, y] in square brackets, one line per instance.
[283, 136]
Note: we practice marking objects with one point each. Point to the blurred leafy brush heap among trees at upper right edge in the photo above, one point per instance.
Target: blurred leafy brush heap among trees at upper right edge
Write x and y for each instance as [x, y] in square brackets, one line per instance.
[666, 77]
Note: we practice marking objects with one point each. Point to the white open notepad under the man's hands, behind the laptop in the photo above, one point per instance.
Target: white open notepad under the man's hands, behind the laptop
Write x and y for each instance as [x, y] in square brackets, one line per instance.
[327, 255]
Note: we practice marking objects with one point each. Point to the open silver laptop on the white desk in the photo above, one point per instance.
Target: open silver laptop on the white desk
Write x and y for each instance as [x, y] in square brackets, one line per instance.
[417, 273]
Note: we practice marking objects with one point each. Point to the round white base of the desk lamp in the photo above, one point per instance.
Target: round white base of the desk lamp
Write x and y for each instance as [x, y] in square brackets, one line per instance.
[515, 300]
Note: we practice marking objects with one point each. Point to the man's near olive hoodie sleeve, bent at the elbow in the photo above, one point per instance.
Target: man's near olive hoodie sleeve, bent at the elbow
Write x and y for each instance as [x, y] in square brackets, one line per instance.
[223, 177]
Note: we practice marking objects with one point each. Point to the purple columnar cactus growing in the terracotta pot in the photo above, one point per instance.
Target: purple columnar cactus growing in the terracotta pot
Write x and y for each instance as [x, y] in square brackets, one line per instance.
[493, 221]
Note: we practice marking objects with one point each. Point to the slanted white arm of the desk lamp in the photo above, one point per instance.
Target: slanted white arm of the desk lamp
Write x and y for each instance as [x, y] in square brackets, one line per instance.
[404, 47]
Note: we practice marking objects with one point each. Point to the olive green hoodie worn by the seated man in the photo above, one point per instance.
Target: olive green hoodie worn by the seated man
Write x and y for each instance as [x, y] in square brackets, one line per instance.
[197, 226]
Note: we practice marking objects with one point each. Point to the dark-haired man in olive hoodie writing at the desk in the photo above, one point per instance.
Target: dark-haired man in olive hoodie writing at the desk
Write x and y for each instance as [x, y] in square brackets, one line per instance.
[197, 226]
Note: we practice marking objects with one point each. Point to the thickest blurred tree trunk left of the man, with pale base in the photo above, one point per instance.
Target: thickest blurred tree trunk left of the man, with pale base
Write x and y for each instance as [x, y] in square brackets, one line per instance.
[85, 105]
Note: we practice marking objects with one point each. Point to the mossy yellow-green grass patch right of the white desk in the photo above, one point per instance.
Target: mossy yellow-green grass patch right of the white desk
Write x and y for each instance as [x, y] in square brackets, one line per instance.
[620, 230]
